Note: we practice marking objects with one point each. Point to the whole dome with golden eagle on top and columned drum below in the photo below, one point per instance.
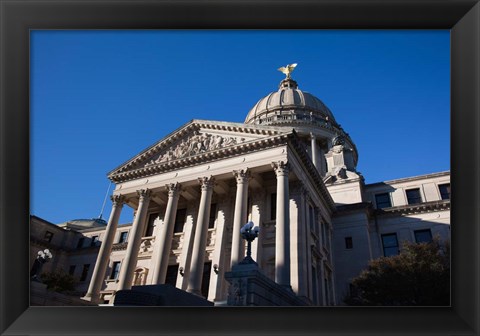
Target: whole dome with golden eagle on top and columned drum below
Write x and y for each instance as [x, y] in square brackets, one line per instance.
[330, 147]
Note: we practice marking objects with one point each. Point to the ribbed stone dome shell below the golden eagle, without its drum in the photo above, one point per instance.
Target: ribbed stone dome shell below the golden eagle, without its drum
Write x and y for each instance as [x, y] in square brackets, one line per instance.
[289, 104]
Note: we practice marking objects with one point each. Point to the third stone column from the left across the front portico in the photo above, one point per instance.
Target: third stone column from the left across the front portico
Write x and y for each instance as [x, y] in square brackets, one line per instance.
[164, 240]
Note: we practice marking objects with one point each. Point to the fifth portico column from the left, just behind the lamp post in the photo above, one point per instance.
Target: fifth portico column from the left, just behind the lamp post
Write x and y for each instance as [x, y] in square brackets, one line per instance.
[240, 216]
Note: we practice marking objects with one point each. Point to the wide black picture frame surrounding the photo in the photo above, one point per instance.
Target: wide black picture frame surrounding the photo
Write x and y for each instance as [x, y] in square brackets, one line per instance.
[18, 17]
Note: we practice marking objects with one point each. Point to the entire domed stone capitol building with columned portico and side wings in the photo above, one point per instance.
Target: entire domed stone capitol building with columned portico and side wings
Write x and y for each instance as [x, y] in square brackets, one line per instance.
[289, 168]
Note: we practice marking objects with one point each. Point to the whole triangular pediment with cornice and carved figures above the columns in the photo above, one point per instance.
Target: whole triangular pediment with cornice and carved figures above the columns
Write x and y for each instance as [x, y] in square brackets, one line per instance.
[192, 142]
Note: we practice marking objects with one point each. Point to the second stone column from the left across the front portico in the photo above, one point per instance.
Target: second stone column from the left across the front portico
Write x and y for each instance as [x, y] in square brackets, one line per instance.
[135, 238]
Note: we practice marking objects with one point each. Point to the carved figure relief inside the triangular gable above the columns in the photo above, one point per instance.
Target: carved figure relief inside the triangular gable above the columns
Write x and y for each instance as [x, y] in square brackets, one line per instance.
[196, 144]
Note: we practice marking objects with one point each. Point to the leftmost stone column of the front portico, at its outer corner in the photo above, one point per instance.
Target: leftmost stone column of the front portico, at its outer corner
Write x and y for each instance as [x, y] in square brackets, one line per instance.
[103, 258]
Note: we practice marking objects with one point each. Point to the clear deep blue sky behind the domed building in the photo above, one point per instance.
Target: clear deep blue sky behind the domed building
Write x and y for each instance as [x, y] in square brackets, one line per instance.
[100, 97]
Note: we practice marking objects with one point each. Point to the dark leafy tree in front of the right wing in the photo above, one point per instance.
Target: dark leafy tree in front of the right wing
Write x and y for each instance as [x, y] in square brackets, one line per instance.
[418, 276]
